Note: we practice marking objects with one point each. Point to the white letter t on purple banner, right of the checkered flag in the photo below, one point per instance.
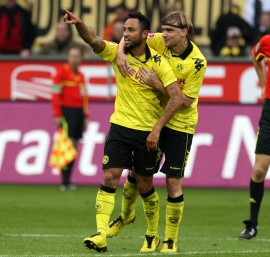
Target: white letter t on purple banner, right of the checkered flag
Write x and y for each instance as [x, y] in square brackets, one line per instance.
[90, 139]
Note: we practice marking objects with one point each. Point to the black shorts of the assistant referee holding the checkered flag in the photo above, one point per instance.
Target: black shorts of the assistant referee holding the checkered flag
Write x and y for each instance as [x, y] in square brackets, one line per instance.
[75, 121]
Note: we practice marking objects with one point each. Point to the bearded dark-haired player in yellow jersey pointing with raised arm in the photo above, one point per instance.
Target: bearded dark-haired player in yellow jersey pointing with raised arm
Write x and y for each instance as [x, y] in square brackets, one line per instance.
[135, 124]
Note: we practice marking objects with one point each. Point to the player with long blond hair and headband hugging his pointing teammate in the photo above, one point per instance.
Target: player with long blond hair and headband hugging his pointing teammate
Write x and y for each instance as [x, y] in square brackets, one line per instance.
[189, 66]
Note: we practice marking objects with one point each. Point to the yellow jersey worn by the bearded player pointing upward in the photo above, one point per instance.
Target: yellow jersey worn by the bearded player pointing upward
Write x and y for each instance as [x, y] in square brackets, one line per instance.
[137, 105]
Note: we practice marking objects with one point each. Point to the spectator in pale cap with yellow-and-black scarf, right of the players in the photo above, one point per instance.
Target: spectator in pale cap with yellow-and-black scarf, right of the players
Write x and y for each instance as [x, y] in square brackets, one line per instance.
[235, 44]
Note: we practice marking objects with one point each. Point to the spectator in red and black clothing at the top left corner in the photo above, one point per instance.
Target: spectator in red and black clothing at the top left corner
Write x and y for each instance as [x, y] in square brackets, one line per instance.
[17, 33]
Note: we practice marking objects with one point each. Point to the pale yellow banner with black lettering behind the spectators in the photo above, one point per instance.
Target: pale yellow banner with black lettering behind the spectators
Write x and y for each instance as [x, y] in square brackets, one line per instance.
[97, 13]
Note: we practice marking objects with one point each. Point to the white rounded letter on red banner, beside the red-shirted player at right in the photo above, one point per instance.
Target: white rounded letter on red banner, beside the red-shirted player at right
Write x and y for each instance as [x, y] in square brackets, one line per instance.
[249, 89]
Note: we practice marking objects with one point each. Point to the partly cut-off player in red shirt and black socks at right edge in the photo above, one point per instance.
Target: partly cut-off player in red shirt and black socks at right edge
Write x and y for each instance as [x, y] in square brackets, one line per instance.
[261, 55]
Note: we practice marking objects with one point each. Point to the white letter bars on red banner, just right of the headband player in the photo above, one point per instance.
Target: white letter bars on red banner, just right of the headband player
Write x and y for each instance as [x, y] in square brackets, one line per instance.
[213, 90]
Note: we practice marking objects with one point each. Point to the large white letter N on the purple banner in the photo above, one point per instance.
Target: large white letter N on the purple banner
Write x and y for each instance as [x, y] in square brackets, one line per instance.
[242, 131]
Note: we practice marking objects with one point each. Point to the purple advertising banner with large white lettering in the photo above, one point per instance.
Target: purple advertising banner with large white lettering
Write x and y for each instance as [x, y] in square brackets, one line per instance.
[222, 152]
